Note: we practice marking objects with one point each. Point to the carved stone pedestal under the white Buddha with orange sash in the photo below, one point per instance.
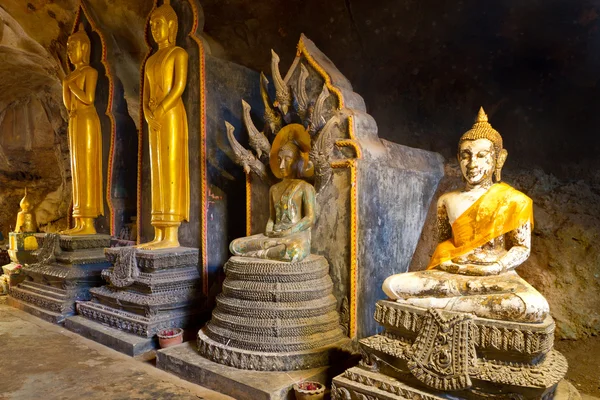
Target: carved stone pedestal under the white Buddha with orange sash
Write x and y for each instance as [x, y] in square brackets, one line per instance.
[435, 354]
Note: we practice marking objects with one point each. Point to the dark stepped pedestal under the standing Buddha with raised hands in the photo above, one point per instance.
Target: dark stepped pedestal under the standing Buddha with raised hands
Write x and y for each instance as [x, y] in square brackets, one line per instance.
[67, 267]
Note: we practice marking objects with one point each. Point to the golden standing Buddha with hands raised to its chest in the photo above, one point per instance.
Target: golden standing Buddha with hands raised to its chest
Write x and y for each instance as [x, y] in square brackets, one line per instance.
[85, 137]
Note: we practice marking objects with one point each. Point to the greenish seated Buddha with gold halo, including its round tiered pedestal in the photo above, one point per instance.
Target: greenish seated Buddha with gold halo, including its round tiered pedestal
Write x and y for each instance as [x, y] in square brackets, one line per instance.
[277, 311]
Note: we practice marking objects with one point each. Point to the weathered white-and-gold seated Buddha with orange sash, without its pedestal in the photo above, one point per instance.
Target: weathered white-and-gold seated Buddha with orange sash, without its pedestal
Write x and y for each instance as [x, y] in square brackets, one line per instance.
[485, 233]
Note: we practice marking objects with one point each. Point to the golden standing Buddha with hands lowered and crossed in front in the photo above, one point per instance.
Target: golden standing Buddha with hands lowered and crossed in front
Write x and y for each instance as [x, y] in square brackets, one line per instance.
[165, 76]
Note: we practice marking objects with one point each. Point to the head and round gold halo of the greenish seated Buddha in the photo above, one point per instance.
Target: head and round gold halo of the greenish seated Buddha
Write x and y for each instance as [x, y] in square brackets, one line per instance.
[289, 153]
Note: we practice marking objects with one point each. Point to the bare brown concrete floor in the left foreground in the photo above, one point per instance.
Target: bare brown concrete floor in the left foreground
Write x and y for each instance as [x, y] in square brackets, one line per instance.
[39, 360]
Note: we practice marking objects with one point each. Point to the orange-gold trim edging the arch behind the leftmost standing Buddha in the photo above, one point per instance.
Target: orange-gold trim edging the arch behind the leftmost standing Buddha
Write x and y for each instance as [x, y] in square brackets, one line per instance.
[107, 112]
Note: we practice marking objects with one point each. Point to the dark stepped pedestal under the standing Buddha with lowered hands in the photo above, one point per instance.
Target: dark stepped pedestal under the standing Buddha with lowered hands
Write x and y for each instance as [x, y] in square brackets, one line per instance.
[148, 290]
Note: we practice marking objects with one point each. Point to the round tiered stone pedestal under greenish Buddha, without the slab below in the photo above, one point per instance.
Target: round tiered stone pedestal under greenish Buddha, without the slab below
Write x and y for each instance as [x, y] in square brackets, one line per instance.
[274, 316]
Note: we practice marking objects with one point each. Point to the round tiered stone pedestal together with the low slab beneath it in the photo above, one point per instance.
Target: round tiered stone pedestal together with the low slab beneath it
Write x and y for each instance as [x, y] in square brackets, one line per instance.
[271, 316]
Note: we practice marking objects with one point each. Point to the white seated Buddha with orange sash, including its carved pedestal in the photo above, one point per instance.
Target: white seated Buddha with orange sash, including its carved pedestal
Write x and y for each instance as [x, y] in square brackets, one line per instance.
[468, 327]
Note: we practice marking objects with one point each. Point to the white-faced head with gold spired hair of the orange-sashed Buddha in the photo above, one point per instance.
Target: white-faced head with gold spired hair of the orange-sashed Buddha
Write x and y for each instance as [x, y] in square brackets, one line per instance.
[480, 152]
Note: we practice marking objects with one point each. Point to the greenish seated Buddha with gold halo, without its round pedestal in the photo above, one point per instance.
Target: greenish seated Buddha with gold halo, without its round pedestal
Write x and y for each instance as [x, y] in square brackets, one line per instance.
[291, 202]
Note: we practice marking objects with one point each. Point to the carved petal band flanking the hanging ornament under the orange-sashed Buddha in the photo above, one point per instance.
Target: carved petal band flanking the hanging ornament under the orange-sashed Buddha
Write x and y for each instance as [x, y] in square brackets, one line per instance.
[483, 336]
